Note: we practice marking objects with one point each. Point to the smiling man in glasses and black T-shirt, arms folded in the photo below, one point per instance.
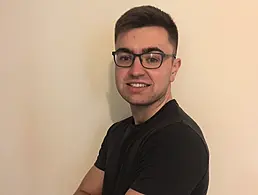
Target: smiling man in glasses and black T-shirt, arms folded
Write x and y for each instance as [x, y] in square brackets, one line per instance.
[160, 150]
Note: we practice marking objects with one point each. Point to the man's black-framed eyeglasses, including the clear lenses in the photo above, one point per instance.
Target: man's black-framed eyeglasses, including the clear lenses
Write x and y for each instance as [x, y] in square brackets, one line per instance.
[149, 60]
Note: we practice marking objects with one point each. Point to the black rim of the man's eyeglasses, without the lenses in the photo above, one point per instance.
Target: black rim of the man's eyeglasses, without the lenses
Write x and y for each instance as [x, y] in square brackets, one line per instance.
[163, 55]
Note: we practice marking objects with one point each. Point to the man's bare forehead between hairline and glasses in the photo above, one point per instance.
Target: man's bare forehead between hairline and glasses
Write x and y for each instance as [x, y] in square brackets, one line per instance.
[140, 38]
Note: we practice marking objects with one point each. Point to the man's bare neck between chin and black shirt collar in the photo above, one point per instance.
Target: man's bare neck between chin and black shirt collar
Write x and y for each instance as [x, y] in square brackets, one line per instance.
[143, 113]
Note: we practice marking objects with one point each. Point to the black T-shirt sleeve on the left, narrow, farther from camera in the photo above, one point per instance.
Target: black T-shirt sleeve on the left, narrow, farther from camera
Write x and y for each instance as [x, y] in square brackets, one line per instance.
[102, 155]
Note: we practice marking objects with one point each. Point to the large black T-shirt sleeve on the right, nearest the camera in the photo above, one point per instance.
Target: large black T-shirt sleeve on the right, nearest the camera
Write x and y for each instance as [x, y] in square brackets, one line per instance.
[173, 161]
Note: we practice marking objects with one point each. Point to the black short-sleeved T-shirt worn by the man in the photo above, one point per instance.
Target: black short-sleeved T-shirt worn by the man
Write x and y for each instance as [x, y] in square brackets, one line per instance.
[166, 155]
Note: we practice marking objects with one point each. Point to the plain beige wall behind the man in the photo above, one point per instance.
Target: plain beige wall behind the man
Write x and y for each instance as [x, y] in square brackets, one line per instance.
[57, 96]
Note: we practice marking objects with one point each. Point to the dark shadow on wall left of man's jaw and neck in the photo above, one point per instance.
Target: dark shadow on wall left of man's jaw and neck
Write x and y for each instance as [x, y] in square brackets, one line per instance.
[118, 107]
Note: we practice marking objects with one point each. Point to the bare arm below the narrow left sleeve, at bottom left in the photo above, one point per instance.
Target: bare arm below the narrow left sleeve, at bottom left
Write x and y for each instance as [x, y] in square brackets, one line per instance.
[92, 183]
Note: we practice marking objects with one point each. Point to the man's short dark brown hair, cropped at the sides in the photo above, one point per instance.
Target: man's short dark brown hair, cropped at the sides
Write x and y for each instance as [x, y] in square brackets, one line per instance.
[144, 16]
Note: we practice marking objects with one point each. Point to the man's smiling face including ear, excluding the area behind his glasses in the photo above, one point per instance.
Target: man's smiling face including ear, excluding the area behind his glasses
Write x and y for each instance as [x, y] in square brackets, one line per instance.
[136, 84]
